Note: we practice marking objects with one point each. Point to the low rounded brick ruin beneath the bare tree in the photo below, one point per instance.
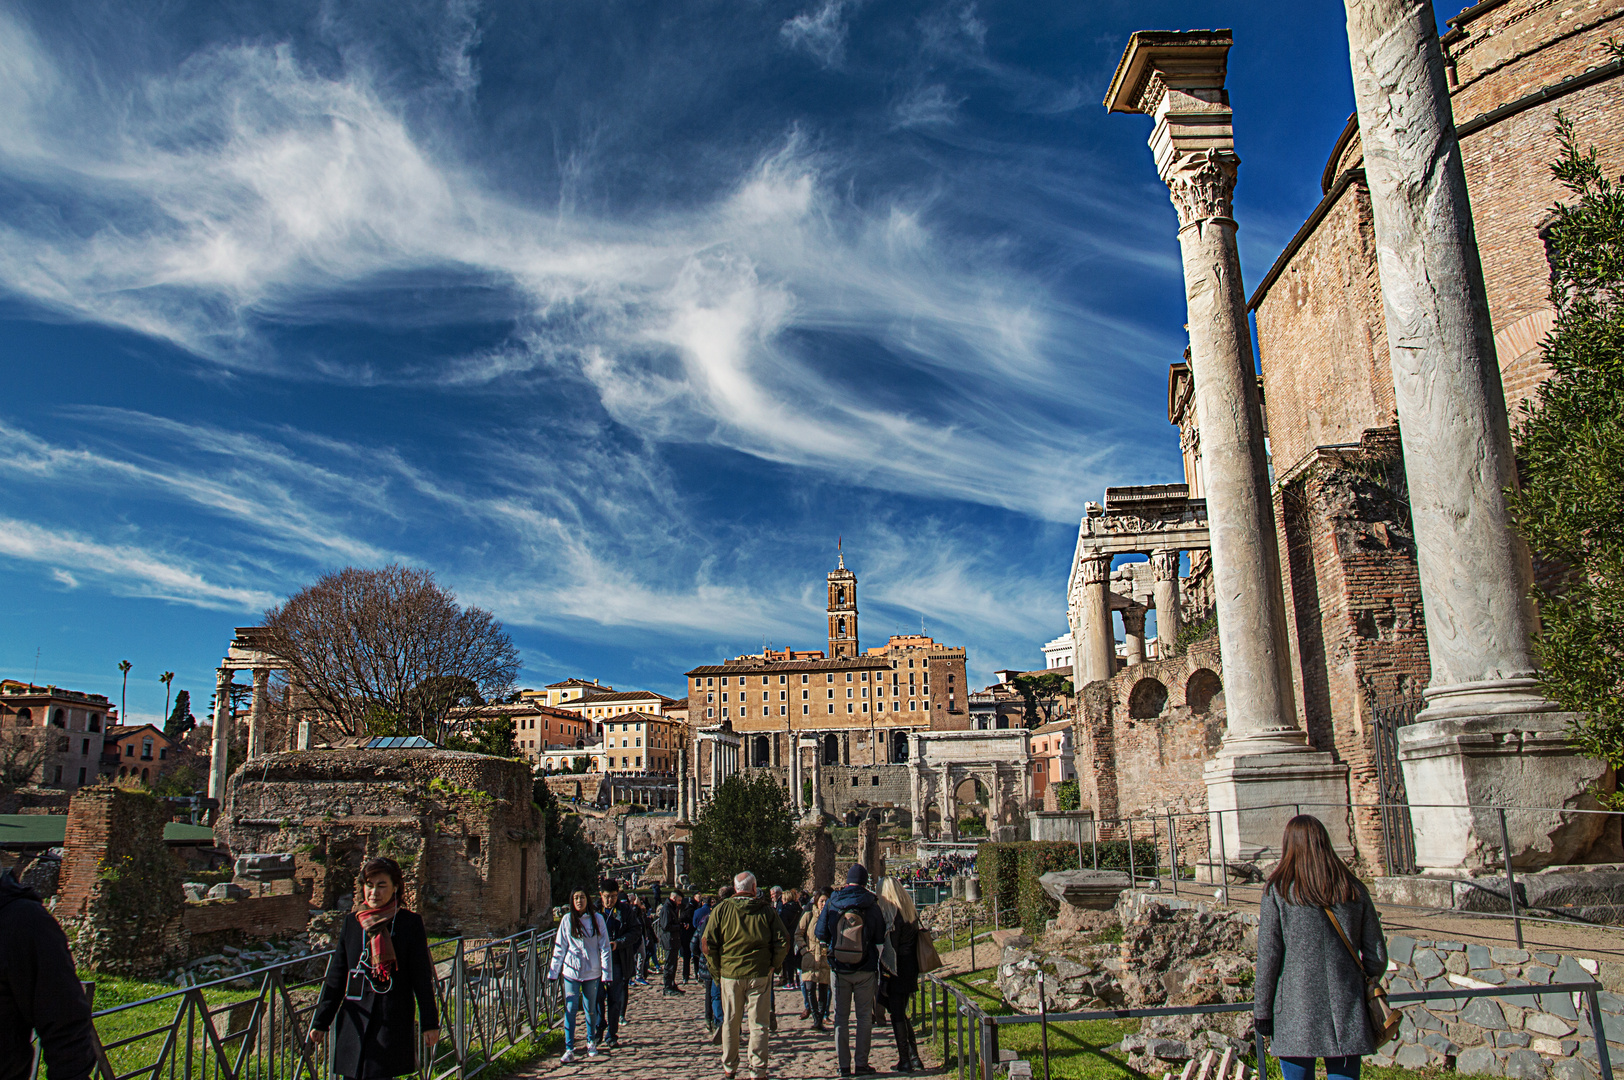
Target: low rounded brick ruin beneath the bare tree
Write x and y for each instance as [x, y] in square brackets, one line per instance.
[462, 826]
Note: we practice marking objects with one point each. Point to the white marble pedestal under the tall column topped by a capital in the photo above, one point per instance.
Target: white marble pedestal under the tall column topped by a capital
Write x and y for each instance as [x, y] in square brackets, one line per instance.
[1259, 793]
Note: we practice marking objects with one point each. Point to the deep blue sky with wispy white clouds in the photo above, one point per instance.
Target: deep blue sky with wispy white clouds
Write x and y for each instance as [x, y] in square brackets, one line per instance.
[615, 316]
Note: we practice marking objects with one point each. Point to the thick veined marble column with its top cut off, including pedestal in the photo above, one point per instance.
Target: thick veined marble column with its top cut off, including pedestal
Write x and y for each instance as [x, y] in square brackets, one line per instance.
[1487, 728]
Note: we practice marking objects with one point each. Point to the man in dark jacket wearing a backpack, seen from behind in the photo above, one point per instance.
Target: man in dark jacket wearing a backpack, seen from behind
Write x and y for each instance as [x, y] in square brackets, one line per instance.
[852, 928]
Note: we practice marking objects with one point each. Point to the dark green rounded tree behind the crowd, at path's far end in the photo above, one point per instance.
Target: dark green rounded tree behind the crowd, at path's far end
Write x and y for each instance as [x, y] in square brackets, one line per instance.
[748, 826]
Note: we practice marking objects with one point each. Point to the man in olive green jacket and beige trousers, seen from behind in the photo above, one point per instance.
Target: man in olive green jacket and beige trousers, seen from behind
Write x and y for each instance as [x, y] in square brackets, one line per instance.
[745, 944]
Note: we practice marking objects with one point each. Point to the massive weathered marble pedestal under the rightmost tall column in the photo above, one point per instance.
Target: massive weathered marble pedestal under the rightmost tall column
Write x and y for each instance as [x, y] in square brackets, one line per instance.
[1514, 759]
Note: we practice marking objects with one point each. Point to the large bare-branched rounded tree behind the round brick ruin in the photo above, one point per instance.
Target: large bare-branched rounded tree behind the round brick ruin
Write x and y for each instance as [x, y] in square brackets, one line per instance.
[391, 650]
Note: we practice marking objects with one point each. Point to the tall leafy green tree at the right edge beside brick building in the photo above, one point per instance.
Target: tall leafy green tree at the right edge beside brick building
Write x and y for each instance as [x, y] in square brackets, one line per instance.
[1571, 449]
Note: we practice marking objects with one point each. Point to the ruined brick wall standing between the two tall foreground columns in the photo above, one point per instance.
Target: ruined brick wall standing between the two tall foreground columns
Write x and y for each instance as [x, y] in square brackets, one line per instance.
[1354, 602]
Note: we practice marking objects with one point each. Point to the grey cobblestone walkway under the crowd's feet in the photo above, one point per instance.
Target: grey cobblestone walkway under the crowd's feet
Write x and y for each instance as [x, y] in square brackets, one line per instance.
[665, 1037]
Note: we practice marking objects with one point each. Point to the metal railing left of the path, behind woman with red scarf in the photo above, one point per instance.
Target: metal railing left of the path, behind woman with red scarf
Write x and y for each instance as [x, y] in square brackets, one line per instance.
[491, 996]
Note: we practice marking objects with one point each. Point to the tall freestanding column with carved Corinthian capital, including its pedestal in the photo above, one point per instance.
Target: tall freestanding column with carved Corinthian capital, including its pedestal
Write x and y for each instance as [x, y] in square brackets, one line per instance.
[1178, 80]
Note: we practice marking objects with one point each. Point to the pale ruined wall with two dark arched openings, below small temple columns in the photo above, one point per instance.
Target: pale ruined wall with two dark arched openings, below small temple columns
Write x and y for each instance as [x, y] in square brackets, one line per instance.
[1142, 741]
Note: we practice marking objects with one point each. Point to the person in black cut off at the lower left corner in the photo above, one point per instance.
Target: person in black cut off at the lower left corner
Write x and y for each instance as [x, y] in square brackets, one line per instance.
[40, 991]
